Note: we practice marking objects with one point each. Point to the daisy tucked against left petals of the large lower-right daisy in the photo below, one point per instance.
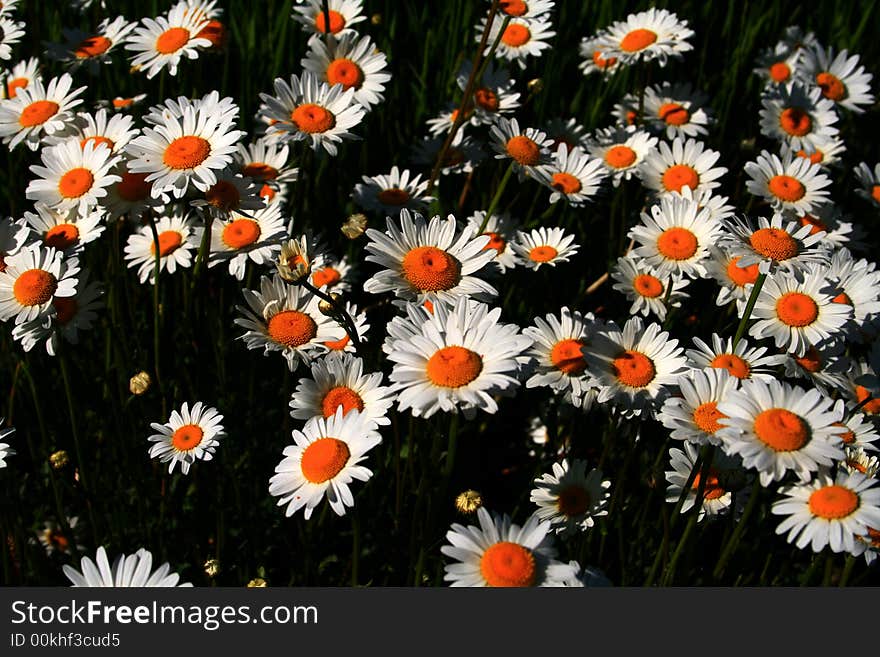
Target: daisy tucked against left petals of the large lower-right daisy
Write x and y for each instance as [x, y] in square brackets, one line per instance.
[694, 416]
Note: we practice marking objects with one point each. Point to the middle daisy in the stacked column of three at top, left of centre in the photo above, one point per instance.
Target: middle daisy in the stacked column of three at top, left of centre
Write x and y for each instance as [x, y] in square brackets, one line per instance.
[353, 62]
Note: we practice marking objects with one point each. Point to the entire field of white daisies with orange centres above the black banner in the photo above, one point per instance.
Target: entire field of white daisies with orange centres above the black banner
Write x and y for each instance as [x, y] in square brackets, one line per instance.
[472, 293]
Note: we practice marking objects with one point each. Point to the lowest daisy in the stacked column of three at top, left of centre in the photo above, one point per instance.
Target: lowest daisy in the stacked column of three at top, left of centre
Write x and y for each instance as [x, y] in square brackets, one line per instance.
[311, 110]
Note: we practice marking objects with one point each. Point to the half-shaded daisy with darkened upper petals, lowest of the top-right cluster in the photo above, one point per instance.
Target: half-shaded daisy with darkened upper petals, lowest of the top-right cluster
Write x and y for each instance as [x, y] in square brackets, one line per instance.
[798, 116]
